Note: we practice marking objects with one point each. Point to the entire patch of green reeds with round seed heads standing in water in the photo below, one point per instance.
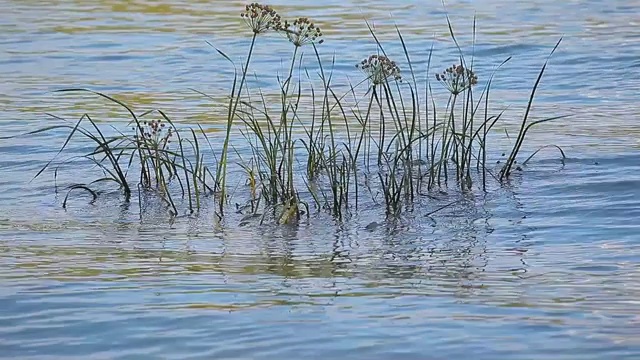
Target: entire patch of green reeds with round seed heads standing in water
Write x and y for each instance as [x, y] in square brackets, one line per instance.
[392, 144]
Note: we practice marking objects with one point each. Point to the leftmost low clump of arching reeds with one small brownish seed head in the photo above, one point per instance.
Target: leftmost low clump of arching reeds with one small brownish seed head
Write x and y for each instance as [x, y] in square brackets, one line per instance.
[149, 156]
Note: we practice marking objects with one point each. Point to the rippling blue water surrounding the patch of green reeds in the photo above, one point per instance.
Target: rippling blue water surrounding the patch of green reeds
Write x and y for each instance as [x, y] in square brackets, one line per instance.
[544, 268]
